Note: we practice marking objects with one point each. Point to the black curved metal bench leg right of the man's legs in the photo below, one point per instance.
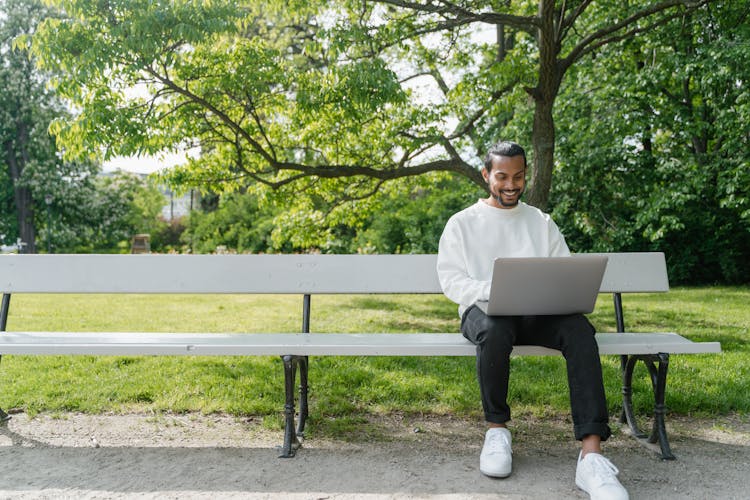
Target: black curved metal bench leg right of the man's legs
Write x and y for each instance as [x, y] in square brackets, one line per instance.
[657, 365]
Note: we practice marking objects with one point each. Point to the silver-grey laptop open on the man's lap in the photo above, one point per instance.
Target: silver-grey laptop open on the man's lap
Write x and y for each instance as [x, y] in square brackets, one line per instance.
[544, 285]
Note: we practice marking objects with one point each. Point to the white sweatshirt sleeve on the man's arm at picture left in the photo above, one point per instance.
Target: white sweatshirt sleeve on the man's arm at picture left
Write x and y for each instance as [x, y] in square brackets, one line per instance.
[452, 269]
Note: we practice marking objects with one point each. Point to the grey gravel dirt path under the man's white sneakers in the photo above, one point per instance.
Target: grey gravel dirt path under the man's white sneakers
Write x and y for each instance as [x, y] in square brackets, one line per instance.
[193, 456]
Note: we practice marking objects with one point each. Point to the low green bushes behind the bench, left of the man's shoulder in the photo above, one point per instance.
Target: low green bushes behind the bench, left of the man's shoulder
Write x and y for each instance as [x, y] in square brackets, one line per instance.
[407, 217]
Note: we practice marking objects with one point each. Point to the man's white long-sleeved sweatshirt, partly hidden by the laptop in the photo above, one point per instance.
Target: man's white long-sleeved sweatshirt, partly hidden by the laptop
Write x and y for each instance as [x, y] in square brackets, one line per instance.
[475, 236]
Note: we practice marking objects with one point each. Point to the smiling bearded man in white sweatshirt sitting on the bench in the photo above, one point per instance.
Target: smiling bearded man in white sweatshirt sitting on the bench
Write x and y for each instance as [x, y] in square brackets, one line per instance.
[503, 226]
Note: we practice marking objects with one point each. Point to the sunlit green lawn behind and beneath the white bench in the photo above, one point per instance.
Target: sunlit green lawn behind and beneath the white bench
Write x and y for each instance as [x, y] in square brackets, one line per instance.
[344, 388]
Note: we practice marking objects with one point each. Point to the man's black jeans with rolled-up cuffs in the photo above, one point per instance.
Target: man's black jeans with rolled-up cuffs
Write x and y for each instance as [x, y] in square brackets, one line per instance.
[573, 335]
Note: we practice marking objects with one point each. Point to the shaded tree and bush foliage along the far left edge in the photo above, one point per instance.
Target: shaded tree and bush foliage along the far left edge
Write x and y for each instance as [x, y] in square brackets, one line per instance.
[75, 209]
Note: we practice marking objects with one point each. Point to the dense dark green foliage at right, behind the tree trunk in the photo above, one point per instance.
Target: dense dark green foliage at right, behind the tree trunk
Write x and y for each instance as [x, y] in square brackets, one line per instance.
[654, 152]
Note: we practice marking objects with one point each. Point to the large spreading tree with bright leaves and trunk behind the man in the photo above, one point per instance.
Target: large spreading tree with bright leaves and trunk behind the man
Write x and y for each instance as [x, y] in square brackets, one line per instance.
[313, 95]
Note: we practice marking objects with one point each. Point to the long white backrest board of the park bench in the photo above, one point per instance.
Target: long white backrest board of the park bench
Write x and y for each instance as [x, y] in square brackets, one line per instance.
[282, 274]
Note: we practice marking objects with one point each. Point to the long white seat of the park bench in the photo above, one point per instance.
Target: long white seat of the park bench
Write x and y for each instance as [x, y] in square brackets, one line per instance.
[345, 344]
